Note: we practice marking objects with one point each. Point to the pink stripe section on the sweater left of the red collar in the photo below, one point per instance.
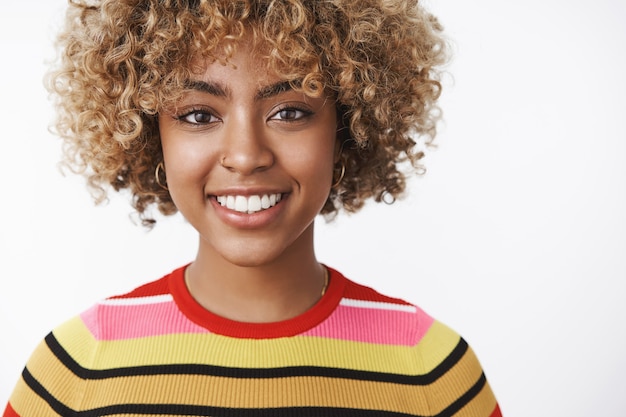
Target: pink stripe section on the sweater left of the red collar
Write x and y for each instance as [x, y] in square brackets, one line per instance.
[111, 322]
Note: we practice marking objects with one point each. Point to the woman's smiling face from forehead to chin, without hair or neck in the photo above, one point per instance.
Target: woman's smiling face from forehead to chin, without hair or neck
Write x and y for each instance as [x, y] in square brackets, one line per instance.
[249, 161]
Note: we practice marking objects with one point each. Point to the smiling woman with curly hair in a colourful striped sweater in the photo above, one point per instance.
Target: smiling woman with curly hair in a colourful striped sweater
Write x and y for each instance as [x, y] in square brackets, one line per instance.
[250, 118]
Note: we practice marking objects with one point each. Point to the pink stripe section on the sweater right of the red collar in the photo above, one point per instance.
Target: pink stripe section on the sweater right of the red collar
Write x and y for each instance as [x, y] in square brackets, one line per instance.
[369, 325]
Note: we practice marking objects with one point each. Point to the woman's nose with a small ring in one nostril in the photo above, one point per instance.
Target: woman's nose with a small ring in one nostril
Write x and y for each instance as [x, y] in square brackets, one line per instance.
[245, 149]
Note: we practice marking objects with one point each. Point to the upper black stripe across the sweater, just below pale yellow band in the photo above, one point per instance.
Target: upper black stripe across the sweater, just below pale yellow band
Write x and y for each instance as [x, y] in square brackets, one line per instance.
[228, 372]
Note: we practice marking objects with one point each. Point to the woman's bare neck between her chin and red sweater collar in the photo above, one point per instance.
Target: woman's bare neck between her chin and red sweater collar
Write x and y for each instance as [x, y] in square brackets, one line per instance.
[274, 291]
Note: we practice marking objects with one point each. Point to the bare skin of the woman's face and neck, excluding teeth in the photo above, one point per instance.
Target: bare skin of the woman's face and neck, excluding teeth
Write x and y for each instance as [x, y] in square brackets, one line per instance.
[241, 131]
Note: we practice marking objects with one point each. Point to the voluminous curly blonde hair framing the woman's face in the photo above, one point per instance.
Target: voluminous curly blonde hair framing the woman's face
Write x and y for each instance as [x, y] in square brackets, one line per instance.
[124, 61]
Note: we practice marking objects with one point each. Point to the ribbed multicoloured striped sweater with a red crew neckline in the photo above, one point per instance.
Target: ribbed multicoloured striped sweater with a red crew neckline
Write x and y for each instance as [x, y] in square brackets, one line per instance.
[155, 351]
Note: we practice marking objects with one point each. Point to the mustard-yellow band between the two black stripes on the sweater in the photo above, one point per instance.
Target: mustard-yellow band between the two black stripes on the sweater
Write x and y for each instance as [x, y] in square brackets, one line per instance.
[275, 392]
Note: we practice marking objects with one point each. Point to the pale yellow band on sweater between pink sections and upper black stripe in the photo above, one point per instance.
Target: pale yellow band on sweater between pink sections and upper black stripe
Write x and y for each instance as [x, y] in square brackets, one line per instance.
[227, 352]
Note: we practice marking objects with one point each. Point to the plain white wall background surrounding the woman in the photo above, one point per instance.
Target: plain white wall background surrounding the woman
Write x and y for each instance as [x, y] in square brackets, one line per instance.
[516, 237]
